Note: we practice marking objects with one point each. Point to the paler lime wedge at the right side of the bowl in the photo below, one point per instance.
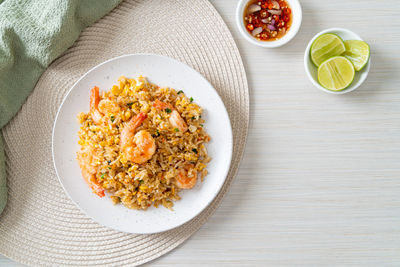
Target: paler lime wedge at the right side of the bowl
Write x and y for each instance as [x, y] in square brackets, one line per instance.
[358, 53]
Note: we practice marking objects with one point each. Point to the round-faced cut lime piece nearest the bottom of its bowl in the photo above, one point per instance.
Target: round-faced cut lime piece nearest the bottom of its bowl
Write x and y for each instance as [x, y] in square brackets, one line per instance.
[336, 73]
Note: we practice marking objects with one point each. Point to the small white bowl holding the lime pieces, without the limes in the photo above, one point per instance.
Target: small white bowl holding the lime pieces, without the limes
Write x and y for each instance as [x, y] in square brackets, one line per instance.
[312, 70]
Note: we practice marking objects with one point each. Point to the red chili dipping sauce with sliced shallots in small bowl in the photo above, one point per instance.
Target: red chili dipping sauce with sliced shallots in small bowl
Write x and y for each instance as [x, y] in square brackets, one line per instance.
[267, 20]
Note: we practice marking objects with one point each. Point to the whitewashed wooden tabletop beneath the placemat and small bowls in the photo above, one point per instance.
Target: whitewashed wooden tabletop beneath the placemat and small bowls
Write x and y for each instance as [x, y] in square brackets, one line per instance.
[319, 183]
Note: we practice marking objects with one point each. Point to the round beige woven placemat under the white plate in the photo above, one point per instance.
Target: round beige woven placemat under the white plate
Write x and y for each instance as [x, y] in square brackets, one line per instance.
[40, 225]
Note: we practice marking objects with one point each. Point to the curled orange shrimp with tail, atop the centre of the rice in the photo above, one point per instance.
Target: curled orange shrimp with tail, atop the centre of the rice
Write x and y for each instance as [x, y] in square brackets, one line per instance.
[139, 147]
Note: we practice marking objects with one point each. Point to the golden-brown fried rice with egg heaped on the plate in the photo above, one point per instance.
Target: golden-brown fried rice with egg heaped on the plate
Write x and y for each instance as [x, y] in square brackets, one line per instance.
[139, 186]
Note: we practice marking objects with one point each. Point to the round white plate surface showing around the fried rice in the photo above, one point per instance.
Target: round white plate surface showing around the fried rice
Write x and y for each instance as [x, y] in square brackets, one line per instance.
[162, 71]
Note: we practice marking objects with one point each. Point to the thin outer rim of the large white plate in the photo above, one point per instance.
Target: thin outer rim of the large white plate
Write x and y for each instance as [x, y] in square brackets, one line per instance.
[230, 135]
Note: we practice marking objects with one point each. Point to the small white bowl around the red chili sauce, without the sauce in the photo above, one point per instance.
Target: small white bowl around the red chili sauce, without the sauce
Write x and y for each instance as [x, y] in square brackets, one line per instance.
[294, 28]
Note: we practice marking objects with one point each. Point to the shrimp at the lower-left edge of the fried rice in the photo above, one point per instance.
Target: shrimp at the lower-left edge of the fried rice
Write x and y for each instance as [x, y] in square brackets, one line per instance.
[85, 160]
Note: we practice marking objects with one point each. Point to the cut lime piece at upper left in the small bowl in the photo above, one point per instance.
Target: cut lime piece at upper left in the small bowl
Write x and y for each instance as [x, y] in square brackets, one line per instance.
[326, 46]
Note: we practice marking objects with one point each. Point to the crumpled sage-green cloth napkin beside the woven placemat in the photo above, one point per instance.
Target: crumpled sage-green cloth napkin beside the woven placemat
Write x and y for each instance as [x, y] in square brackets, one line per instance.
[32, 34]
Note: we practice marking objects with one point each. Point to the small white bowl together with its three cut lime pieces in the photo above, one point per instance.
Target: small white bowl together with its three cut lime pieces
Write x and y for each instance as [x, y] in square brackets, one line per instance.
[337, 60]
